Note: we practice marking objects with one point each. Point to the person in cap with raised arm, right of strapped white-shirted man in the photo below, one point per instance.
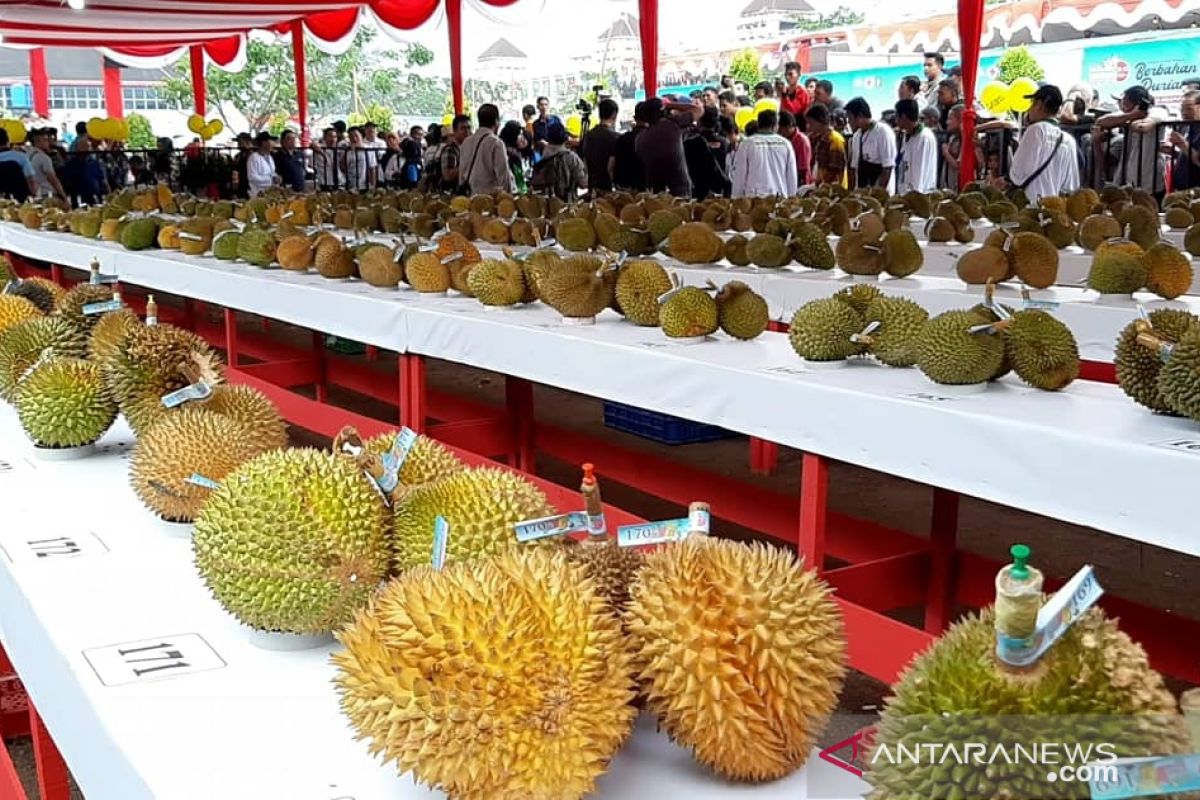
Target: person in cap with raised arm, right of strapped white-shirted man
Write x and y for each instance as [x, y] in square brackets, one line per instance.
[1138, 164]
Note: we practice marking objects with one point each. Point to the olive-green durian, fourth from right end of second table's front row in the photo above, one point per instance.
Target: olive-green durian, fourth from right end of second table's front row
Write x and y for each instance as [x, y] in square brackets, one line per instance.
[949, 353]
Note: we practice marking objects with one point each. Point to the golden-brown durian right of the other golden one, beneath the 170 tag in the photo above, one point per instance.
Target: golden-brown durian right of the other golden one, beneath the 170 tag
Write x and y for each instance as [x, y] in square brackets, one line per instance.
[740, 651]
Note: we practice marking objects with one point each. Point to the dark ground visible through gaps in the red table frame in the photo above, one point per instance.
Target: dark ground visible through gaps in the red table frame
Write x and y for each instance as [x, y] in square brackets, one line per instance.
[1138, 573]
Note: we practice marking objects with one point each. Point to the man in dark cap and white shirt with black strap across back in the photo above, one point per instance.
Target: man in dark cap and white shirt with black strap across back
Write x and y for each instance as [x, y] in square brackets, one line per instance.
[1046, 163]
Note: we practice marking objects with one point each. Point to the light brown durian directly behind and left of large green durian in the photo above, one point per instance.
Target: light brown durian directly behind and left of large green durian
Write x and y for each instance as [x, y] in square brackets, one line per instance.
[194, 442]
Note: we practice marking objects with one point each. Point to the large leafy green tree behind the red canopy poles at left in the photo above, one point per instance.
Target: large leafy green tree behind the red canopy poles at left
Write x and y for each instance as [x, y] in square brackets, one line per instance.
[338, 85]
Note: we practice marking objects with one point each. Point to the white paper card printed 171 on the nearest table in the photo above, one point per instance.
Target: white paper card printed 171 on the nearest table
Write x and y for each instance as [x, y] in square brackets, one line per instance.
[158, 659]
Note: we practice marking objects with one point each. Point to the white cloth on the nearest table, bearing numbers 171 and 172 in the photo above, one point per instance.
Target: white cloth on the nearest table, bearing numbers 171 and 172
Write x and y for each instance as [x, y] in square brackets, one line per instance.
[238, 723]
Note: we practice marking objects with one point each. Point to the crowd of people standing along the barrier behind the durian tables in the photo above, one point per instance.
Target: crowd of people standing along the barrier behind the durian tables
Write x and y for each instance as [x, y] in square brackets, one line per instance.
[697, 147]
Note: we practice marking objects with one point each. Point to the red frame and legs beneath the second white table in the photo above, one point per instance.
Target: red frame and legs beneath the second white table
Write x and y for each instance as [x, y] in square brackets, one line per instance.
[874, 569]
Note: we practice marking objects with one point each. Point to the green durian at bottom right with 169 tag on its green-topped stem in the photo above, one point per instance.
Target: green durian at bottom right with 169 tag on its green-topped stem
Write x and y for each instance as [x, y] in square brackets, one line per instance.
[1094, 688]
